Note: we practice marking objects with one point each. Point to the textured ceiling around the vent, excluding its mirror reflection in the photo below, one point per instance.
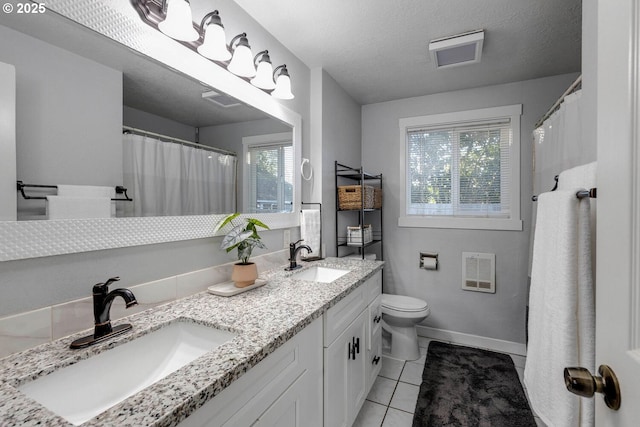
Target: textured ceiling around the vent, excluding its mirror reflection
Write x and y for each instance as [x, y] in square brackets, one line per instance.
[377, 50]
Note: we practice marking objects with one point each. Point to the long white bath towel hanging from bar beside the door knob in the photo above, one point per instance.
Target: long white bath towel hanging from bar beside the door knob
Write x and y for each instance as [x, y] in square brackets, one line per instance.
[561, 310]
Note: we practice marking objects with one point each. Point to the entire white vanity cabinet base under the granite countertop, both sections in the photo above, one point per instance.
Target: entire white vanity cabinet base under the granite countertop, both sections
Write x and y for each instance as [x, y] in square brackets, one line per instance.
[319, 377]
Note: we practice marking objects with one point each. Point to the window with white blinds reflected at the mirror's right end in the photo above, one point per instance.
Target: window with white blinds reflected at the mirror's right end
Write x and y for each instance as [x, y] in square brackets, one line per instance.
[271, 177]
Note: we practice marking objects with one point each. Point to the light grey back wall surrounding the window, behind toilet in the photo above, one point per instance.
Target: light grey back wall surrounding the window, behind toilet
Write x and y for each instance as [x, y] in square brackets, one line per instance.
[500, 315]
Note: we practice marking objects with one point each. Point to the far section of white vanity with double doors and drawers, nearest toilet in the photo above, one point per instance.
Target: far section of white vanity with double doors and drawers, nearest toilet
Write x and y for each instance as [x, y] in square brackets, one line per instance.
[352, 344]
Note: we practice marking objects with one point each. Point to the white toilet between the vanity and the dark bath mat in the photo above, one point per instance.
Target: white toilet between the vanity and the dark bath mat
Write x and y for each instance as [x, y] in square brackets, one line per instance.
[400, 314]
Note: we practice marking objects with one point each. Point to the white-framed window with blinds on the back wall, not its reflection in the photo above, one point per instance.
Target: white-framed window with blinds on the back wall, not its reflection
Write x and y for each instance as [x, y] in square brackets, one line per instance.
[461, 170]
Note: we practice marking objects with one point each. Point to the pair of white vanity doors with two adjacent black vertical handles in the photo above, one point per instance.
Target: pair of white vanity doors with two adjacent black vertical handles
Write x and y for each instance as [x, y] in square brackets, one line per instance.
[345, 374]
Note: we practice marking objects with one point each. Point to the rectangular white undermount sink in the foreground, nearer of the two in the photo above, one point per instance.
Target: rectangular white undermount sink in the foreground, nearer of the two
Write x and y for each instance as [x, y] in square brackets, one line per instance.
[81, 391]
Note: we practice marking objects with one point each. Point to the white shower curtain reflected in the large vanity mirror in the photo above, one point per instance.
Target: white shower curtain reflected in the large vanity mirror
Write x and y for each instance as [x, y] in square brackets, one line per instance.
[166, 178]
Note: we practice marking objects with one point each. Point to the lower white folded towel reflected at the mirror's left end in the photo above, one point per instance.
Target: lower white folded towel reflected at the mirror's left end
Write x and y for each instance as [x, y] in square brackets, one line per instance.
[60, 207]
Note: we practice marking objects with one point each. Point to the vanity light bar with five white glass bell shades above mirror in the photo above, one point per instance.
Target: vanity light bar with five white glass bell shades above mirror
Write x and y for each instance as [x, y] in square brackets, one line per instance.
[208, 39]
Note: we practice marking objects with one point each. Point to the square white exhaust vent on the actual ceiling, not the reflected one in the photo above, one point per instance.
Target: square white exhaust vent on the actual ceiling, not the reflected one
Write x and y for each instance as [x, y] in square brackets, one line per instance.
[461, 49]
